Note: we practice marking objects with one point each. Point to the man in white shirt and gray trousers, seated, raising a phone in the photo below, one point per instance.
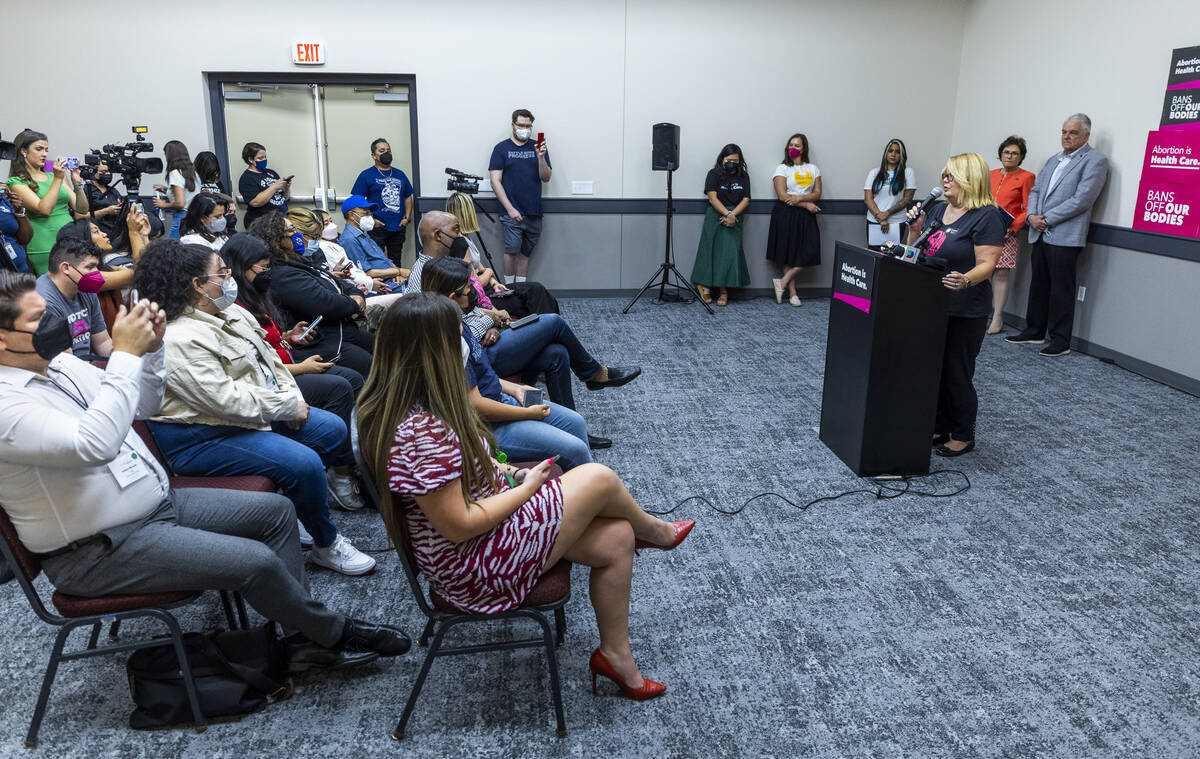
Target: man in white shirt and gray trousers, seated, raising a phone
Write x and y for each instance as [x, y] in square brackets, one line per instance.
[87, 495]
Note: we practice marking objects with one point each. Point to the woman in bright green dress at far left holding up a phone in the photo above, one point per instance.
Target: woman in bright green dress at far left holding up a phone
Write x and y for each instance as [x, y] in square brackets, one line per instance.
[52, 200]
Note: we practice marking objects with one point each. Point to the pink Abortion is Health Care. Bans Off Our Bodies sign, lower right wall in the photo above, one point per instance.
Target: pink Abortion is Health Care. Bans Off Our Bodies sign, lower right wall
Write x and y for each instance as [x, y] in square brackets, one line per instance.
[1169, 194]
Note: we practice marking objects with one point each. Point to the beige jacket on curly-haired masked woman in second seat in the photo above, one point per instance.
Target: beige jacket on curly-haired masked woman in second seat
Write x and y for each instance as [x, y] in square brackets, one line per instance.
[218, 373]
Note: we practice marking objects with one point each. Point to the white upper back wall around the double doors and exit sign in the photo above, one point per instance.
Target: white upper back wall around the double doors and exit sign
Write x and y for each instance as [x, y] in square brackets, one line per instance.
[597, 75]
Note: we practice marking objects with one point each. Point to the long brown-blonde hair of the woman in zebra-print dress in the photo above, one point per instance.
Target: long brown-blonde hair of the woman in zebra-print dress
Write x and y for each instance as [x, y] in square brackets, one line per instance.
[418, 362]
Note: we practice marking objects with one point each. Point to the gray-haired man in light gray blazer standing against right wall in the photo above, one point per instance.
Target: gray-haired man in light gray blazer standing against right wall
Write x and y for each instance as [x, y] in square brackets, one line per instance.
[1060, 216]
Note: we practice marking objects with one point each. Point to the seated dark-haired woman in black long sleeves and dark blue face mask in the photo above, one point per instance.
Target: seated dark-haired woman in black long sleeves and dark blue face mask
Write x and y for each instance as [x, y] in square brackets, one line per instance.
[304, 288]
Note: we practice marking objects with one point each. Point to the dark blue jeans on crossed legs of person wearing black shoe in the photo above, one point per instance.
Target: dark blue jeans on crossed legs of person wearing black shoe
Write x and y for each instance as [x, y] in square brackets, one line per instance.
[547, 346]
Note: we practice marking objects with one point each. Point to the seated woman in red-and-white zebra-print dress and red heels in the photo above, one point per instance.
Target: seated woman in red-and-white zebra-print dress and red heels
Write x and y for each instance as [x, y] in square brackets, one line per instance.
[482, 545]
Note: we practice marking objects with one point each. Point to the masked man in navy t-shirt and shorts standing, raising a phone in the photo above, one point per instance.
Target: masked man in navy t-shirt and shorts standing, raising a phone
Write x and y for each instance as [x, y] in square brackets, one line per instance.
[518, 171]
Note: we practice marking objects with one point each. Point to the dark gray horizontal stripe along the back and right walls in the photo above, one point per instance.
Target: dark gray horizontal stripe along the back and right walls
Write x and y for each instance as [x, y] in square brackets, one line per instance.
[1102, 235]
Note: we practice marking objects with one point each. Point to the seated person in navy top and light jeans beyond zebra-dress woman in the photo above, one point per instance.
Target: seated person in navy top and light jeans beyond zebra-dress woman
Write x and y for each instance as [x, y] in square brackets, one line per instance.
[525, 432]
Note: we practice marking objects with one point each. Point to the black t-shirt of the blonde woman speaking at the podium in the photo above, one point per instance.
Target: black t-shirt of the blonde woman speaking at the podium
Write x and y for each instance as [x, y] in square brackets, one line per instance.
[956, 243]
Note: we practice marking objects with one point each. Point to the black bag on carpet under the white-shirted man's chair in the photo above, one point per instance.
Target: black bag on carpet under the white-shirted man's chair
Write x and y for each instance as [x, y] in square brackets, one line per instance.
[236, 673]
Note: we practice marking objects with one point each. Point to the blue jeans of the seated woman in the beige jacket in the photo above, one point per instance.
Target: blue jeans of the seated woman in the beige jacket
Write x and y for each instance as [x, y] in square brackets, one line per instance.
[295, 459]
